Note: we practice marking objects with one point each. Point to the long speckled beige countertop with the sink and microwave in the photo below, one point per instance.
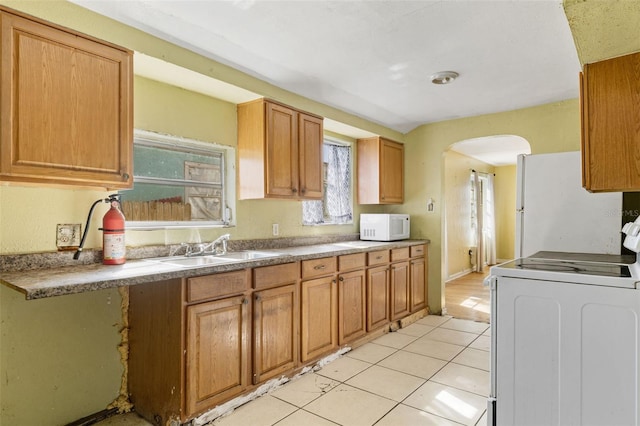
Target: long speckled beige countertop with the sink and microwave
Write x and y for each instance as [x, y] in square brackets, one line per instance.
[49, 282]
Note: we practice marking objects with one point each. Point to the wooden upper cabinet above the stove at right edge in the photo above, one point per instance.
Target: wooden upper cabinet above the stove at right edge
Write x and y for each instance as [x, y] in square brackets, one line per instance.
[610, 108]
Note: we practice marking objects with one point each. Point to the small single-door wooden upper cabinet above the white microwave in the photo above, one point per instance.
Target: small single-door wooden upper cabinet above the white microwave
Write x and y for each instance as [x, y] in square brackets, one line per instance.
[380, 171]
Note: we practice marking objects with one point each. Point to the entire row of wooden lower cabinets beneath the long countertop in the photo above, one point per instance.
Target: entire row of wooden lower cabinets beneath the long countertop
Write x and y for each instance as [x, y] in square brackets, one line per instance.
[197, 342]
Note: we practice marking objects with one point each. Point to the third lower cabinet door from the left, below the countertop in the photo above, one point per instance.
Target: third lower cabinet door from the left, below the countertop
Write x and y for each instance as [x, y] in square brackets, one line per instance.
[319, 313]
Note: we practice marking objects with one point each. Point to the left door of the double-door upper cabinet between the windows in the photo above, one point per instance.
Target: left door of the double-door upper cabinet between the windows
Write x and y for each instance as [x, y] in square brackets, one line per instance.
[282, 150]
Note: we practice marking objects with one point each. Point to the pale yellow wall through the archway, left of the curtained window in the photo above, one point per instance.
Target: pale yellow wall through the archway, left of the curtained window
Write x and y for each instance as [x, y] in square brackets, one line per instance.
[457, 192]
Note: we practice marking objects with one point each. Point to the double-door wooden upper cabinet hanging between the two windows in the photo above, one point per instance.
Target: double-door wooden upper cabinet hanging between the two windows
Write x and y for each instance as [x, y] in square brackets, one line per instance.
[280, 152]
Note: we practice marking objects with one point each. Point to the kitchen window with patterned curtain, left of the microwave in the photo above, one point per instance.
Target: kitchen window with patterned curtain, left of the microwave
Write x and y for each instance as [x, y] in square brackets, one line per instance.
[336, 206]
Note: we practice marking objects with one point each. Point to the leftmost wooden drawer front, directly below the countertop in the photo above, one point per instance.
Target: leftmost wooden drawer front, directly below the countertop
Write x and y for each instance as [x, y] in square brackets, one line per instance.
[217, 285]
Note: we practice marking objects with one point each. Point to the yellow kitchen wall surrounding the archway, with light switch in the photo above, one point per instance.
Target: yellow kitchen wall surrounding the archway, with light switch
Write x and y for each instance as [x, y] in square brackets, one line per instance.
[548, 128]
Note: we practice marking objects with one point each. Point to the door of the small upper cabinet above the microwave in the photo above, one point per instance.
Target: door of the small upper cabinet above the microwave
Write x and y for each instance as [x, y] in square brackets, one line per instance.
[391, 172]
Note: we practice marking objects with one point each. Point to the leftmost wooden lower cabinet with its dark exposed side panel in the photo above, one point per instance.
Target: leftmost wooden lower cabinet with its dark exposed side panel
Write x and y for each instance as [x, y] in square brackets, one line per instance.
[189, 344]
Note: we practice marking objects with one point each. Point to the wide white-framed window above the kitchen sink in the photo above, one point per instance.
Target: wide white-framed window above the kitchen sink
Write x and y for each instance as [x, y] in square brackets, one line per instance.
[177, 183]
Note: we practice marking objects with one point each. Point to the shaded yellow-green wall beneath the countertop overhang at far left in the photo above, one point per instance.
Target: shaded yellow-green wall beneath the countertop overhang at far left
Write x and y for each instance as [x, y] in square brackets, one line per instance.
[58, 359]
